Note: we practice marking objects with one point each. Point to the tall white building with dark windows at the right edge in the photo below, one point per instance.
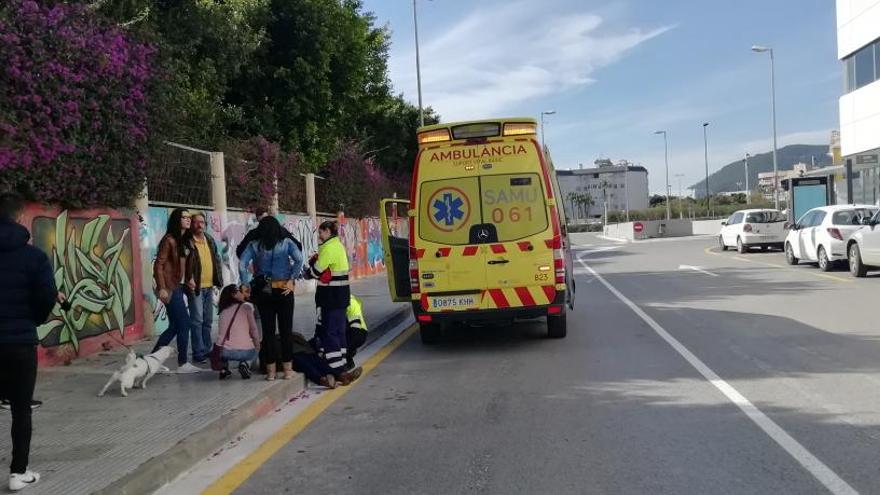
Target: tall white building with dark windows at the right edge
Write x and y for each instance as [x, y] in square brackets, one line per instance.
[858, 48]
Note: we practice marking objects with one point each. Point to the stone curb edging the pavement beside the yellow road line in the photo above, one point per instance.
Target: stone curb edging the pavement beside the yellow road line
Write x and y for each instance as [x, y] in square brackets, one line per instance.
[157, 472]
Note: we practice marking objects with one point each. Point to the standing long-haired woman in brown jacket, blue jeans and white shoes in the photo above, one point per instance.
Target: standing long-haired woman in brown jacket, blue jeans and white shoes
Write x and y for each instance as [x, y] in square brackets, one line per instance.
[168, 270]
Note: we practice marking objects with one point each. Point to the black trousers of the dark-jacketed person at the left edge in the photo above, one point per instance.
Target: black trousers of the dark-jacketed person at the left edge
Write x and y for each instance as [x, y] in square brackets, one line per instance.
[18, 376]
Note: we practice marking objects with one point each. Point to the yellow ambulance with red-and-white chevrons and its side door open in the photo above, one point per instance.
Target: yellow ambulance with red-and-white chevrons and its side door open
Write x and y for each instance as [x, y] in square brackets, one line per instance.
[486, 236]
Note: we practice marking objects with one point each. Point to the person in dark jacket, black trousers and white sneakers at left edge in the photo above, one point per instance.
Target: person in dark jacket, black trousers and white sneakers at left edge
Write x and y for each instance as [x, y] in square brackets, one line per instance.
[29, 298]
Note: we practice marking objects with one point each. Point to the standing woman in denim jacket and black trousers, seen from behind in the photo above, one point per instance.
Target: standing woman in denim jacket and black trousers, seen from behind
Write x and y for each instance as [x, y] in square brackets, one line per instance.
[278, 262]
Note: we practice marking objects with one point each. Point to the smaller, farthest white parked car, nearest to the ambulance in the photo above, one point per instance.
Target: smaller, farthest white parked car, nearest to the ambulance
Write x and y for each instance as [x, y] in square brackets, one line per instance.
[746, 229]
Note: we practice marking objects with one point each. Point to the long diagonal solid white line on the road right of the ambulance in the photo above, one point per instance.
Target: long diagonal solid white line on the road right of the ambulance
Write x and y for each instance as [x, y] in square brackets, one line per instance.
[811, 463]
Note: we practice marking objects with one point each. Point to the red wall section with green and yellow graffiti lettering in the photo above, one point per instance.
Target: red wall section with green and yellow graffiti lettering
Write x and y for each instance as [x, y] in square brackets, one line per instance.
[95, 256]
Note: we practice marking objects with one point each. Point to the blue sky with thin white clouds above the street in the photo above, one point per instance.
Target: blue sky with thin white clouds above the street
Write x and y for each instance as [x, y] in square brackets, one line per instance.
[616, 71]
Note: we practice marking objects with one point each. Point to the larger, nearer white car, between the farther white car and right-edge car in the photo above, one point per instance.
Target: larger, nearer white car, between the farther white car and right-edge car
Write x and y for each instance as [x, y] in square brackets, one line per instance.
[821, 234]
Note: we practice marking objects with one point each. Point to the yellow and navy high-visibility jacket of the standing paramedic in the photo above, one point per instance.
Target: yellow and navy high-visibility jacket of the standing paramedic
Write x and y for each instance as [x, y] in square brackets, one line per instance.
[331, 270]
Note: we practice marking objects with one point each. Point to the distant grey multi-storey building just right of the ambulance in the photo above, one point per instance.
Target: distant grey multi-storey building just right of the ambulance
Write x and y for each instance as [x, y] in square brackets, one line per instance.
[587, 190]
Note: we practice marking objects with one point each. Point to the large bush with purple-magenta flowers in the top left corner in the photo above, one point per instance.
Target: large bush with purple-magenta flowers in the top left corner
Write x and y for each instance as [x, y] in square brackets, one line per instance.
[74, 105]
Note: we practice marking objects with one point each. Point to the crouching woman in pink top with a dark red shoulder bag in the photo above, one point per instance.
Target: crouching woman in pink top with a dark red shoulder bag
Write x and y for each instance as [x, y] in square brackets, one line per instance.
[237, 331]
